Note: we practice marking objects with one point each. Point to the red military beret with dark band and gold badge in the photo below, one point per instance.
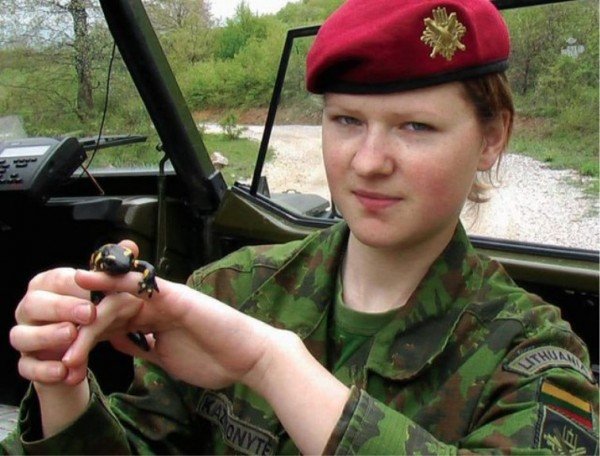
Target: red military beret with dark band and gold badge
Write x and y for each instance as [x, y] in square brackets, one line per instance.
[382, 46]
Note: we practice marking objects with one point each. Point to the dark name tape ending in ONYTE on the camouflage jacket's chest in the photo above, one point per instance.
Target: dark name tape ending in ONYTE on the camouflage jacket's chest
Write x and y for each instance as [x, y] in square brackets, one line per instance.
[237, 433]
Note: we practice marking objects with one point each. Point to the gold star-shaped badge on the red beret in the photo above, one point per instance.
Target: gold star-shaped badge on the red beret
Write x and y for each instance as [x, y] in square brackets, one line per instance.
[443, 33]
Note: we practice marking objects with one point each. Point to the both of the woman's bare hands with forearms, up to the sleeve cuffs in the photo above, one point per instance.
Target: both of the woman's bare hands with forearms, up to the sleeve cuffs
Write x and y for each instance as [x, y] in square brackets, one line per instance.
[194, 337]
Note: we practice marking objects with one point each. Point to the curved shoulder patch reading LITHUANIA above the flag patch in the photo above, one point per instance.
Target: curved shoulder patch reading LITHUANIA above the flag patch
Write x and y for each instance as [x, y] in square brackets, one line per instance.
[538, 359]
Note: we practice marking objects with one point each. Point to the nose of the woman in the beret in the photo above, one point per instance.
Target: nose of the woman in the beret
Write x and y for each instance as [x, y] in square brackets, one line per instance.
[374, 155]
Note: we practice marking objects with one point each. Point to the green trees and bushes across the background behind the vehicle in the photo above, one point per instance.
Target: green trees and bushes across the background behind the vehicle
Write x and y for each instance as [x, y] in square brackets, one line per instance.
[228, 68]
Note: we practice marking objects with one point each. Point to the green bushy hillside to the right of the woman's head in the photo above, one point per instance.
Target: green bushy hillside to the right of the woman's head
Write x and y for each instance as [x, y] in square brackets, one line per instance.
[554, 69]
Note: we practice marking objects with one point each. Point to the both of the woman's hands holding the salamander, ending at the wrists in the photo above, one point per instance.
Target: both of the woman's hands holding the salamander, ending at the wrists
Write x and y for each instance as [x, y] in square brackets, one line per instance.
[193, 336]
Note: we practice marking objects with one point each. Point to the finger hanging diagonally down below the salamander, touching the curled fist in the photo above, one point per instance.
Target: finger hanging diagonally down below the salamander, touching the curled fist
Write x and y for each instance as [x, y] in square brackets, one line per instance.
[113, 315]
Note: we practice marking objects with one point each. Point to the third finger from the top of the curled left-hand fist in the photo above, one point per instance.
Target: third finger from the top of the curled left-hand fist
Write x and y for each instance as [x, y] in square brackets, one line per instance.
[53, 337]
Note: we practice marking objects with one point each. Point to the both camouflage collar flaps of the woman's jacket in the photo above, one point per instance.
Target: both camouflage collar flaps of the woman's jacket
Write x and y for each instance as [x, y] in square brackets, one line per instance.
[298, 297]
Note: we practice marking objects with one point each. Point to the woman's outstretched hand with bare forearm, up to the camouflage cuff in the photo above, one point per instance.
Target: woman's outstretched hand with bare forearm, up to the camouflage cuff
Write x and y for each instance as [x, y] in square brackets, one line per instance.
[206, 343]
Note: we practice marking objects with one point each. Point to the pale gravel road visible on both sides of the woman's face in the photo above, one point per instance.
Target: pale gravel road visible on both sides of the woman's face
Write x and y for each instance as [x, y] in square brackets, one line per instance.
[530, 202]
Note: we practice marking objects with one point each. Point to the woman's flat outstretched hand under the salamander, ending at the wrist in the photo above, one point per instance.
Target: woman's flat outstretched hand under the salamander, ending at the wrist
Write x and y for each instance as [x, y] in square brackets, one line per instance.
[194, 337]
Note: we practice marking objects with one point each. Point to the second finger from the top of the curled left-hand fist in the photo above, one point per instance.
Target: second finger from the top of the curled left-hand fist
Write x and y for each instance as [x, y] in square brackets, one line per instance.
[40, 306]
